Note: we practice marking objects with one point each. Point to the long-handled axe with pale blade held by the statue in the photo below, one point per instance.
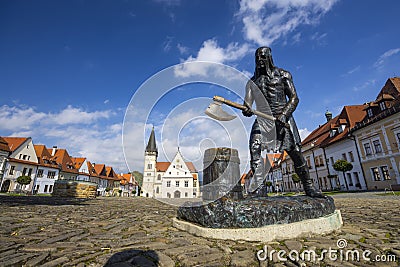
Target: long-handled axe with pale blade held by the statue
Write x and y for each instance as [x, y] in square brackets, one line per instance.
[215, 110]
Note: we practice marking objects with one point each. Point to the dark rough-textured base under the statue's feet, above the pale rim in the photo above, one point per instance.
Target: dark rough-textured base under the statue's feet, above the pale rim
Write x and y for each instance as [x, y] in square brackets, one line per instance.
[257, 212]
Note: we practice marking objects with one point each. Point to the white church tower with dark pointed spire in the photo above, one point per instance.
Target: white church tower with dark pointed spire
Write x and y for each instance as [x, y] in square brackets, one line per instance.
[150, 161]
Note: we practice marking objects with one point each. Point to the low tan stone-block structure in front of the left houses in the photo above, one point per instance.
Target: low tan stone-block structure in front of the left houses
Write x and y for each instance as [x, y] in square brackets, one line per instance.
[76, 189]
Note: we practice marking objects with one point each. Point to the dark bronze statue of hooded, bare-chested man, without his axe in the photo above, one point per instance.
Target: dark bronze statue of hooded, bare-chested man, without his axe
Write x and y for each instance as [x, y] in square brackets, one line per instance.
[275, 87]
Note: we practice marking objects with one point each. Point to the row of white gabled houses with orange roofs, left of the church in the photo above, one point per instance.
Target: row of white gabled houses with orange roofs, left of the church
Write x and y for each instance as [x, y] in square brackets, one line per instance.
[20, 157]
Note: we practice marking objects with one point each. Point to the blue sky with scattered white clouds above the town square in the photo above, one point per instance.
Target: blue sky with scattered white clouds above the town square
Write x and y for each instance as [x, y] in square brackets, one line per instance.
[68, 69]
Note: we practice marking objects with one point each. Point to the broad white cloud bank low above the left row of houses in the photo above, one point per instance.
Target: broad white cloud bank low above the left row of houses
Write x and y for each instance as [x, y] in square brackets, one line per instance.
[82, 133]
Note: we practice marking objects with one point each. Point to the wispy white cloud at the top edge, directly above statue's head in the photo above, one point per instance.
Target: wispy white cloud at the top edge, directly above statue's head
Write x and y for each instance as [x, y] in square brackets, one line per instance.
[265, 21]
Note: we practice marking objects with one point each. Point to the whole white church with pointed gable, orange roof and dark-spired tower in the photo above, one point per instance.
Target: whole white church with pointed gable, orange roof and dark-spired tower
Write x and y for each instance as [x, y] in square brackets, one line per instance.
[175, 179]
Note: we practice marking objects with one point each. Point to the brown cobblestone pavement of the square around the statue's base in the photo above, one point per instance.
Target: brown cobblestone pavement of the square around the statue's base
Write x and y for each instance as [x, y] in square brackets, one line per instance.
[44, 231]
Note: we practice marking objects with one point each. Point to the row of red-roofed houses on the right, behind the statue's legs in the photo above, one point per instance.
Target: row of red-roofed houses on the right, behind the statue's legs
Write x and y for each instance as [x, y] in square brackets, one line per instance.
[366, 135]
